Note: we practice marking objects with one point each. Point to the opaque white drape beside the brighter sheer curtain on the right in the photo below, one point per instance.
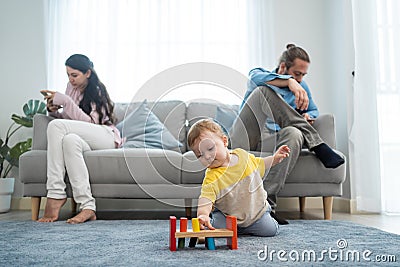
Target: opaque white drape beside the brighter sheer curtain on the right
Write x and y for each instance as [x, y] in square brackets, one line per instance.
[364, 159]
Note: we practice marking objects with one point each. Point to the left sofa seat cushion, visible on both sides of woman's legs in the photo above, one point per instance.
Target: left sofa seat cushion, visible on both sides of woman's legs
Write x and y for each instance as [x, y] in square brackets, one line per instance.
[114, 166]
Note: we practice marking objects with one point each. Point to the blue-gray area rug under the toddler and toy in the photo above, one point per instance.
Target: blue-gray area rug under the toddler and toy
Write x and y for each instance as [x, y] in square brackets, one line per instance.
[145, 243]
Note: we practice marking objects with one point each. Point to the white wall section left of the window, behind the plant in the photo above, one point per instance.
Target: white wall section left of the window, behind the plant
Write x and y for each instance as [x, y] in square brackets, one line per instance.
[22, 59]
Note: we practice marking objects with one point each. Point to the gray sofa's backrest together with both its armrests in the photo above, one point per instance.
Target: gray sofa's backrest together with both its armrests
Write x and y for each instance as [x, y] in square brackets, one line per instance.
[178, 116]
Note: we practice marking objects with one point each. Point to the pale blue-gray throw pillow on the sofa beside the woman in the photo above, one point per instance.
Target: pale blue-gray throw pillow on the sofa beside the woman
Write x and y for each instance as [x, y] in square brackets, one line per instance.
[143, 129]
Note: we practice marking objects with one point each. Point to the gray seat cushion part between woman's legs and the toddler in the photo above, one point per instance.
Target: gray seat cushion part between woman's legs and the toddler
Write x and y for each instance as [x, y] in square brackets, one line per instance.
[134, 166]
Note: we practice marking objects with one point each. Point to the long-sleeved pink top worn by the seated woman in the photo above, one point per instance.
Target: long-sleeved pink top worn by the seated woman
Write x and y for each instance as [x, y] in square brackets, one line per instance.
[71, 110]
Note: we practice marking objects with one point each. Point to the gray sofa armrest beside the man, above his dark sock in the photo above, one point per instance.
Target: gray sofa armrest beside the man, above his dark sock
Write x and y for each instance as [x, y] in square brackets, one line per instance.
[325, 125]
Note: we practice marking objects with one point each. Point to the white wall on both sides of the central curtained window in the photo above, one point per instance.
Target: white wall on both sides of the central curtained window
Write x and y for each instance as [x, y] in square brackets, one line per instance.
[323, 28]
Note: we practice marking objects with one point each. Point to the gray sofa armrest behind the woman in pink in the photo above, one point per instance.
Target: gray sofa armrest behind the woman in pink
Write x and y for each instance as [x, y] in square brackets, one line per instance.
[40, 123]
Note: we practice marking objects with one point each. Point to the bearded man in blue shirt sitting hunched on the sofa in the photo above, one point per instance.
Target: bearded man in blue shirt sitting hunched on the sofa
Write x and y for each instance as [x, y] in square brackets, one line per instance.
[281, 101]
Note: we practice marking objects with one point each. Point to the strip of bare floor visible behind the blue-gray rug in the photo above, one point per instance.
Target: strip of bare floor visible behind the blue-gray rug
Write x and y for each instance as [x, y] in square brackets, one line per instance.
[388, 223]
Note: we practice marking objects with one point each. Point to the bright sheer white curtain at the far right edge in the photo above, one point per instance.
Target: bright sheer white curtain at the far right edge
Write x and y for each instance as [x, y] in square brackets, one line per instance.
[388, 28]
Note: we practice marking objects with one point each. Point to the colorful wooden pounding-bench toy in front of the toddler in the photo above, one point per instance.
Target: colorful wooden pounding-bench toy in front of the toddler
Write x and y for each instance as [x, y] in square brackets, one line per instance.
[230, 233]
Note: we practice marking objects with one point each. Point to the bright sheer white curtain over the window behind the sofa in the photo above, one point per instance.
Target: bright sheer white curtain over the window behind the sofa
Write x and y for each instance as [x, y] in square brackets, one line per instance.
[131, 41]
